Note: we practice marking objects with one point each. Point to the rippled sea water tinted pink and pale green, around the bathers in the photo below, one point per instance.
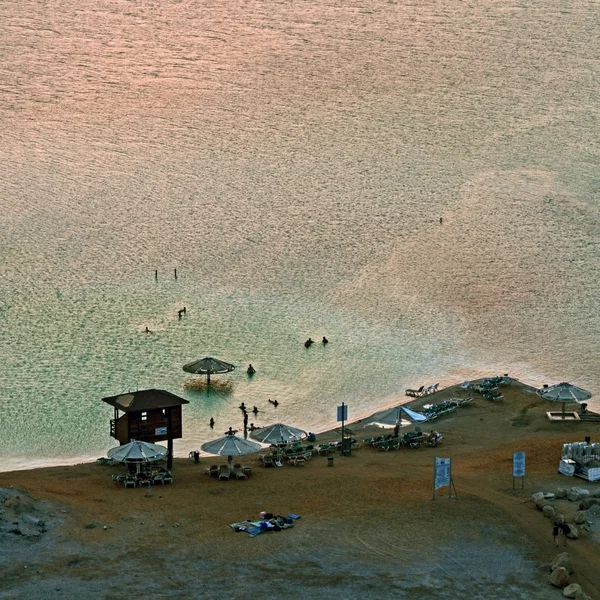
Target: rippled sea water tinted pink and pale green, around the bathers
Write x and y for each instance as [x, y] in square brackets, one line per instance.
[292, 160]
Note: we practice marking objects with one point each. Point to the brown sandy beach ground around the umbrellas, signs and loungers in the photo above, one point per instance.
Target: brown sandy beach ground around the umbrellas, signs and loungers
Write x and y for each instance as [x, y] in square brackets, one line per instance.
[368, 526]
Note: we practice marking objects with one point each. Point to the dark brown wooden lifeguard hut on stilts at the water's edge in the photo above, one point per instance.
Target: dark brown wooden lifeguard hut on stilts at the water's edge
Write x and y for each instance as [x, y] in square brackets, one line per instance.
[147, 416]
